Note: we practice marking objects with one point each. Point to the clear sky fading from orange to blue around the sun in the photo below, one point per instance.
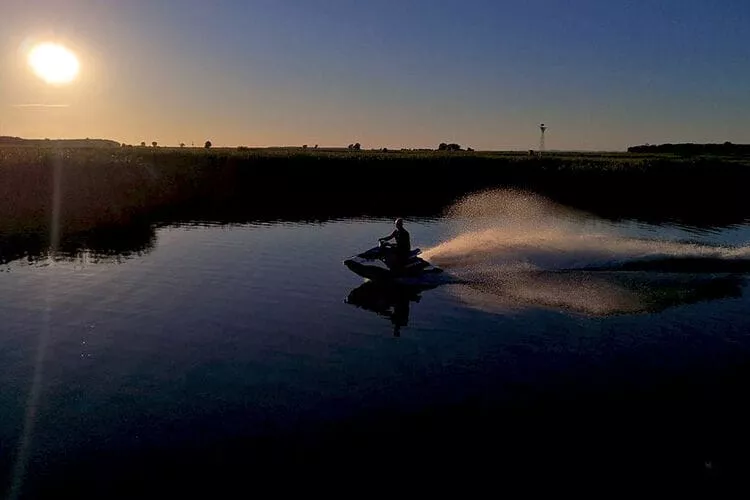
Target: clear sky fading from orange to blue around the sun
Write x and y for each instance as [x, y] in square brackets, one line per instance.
[602, 75]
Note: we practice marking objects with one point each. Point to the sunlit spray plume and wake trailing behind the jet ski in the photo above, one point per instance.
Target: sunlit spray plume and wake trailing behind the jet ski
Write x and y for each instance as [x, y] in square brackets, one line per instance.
[513, 249]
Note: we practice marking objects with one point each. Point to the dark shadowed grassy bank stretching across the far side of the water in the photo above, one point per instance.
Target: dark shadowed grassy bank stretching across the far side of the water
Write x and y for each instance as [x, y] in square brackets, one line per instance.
[108, 199]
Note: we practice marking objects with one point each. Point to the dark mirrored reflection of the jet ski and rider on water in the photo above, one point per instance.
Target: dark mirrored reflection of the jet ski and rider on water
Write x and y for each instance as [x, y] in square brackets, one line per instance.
[388, 299]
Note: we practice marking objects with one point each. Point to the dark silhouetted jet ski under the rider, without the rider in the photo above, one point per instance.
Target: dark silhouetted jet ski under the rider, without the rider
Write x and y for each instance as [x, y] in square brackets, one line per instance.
[376, 264]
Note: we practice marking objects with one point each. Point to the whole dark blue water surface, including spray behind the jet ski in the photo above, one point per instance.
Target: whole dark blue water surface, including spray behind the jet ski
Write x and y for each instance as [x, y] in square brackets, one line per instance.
[239, 357]
